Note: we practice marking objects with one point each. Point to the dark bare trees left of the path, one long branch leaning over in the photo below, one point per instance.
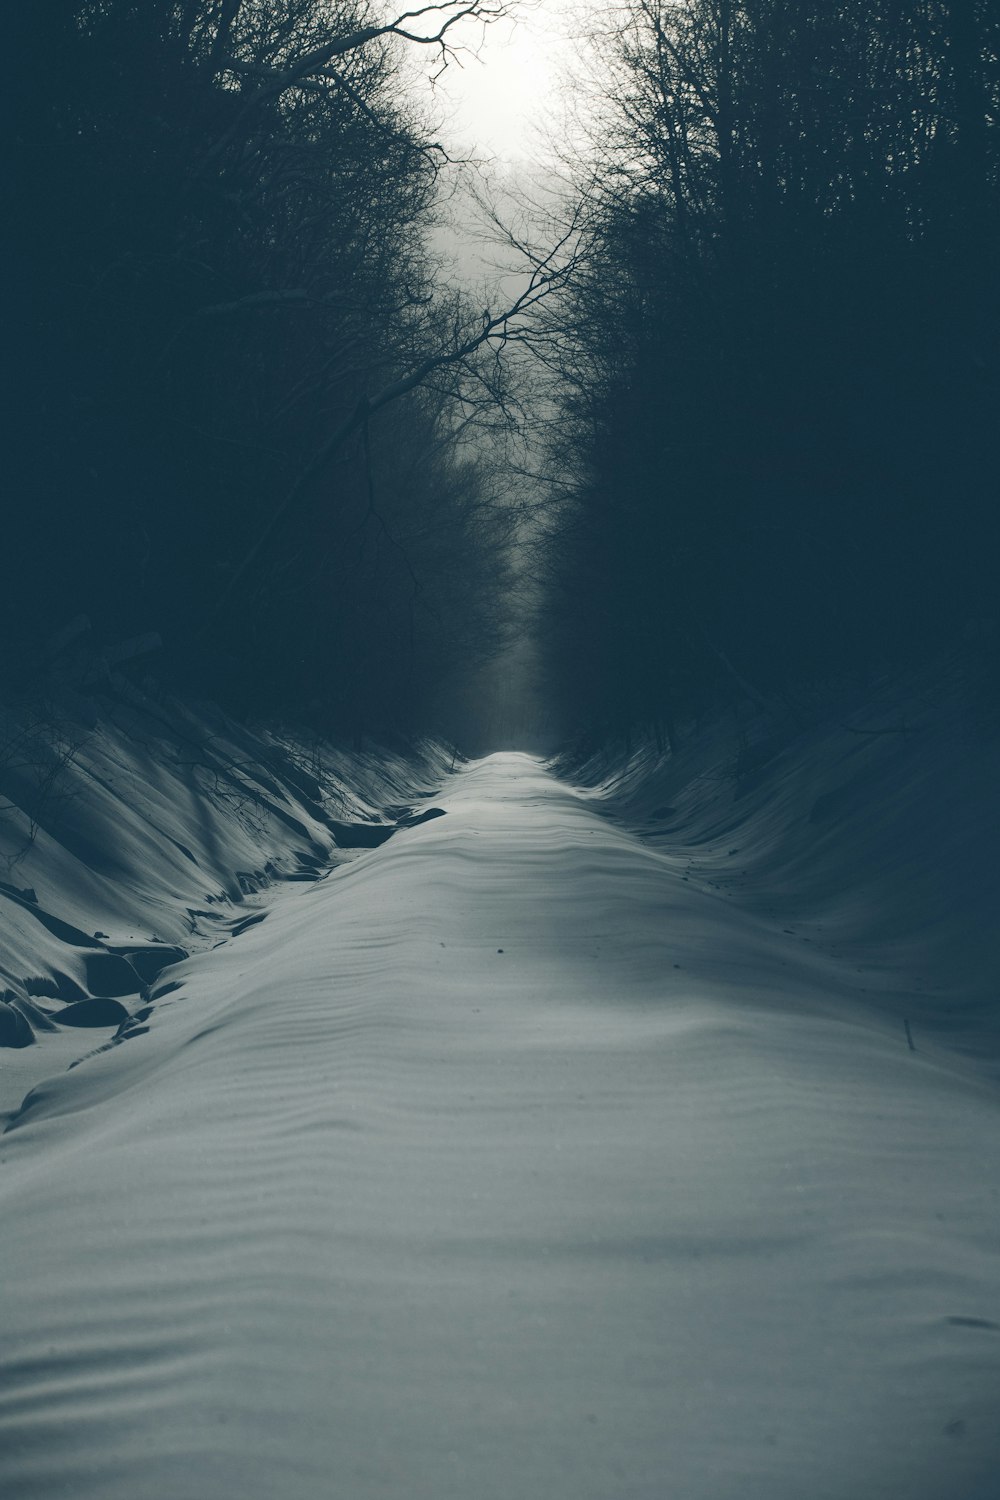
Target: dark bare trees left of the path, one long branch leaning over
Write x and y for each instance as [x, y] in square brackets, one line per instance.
[239, 392]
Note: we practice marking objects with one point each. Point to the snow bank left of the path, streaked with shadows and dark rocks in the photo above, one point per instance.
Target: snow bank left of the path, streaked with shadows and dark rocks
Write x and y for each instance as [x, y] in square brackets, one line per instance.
[136, 832]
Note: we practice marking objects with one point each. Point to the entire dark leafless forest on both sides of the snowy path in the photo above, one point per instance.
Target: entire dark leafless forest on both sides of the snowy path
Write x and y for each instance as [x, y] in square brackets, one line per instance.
[254, 419]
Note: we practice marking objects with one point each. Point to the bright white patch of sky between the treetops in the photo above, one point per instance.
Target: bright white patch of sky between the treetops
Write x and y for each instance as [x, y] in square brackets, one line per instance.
[499, 101]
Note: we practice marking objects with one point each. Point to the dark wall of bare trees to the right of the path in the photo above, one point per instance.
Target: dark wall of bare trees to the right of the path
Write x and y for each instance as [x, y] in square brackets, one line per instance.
[779, 380]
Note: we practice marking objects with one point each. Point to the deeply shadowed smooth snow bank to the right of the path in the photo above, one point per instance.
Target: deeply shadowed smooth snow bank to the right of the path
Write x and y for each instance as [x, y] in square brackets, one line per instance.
[872, 836]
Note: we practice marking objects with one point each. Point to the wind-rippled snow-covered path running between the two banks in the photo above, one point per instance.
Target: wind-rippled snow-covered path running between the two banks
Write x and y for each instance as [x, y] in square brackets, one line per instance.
[506, 1163]
